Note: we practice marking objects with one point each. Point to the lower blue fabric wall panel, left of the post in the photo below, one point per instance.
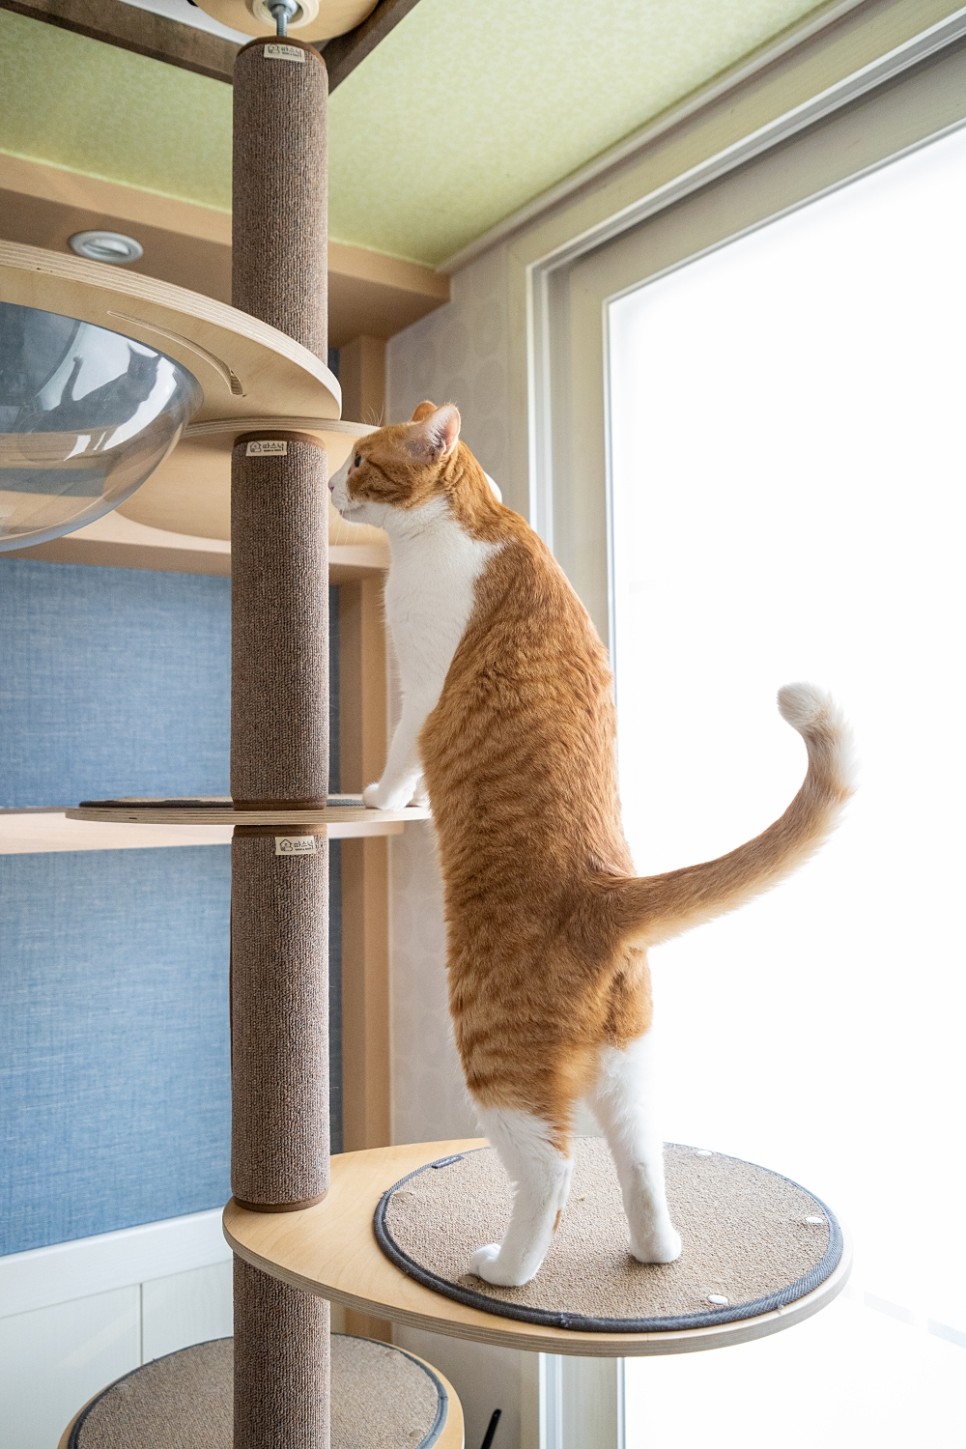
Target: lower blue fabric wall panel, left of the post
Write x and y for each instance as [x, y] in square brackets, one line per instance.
[115, 1045]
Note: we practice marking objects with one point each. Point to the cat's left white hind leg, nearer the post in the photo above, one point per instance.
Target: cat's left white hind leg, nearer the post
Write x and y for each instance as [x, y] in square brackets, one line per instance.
[541, 1177]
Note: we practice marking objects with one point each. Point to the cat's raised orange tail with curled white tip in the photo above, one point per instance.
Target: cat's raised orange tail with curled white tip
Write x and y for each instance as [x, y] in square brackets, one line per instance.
[657, 908]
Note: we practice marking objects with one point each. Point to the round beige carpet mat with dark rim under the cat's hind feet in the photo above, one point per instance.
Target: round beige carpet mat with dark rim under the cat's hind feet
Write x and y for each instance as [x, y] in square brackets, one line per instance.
[754, 1243]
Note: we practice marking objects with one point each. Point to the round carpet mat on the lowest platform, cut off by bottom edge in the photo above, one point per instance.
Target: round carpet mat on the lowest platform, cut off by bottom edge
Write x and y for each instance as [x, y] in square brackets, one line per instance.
[382, 1399]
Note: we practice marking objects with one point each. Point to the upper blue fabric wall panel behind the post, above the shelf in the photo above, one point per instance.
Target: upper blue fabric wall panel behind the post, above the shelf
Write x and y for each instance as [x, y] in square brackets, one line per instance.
[117, 682]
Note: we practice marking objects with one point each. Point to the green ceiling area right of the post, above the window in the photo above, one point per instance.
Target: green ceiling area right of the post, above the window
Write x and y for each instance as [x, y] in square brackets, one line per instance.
[473, 108]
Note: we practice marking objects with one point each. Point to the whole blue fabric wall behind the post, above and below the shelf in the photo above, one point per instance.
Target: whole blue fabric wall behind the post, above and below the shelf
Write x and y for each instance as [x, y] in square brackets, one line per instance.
[114, 967]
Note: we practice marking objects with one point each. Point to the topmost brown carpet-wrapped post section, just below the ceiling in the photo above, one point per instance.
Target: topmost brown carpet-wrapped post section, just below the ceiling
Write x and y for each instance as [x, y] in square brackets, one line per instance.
[280, 192]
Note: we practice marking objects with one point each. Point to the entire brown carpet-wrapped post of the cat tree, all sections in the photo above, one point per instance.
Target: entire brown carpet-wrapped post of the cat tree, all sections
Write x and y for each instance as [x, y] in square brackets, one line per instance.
[280, 750]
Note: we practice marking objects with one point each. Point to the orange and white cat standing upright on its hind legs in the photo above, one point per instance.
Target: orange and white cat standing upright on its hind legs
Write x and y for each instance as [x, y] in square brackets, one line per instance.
[508, 721]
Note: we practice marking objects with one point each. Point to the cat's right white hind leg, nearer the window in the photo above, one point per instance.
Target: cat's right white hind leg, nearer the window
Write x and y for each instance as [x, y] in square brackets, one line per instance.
[623, 1102]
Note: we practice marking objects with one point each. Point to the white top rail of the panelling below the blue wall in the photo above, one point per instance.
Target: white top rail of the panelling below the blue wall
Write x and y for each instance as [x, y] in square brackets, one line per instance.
[91, 1266]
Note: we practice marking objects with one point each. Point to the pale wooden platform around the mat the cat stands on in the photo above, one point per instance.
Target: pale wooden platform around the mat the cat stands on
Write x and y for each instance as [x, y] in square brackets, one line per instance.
[331, 1250]
